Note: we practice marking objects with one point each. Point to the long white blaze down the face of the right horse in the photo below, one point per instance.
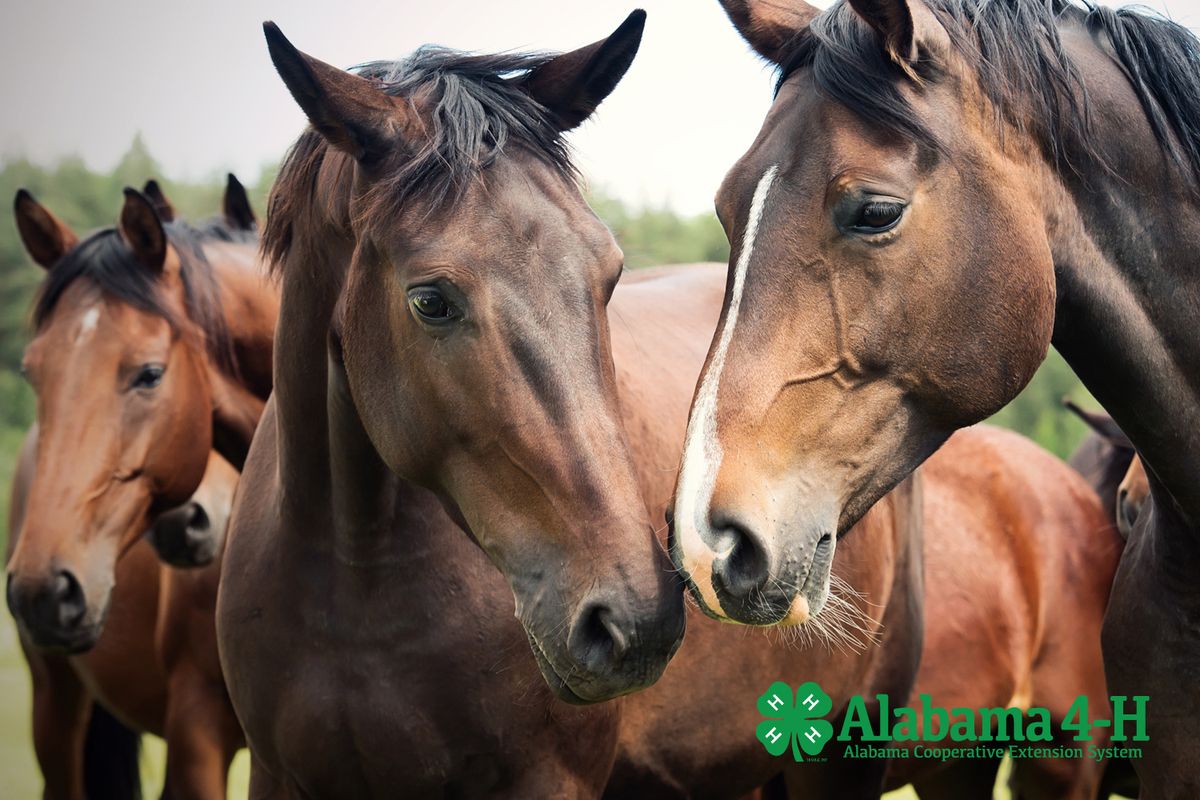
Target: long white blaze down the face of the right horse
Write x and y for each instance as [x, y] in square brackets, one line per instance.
[703, 450]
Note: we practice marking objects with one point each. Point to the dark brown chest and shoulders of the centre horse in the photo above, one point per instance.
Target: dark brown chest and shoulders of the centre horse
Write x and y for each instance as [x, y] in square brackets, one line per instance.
[346, 653]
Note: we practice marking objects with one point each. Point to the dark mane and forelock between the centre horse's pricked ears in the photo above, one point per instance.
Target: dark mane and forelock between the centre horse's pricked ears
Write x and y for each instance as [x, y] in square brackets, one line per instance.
[476, 110]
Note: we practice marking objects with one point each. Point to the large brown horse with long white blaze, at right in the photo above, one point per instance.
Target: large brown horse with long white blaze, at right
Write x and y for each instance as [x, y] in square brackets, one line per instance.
[977, 182]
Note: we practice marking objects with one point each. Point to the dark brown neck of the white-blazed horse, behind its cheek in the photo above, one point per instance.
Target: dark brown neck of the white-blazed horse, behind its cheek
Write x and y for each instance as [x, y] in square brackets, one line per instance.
[1125, 250]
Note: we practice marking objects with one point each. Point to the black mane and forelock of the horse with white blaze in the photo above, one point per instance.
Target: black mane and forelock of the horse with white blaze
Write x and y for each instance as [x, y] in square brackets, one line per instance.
[1024, 70]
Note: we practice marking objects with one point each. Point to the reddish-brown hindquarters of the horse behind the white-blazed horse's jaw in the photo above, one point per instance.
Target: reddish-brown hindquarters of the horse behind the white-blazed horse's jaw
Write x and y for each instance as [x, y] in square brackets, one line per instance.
[1010, 522]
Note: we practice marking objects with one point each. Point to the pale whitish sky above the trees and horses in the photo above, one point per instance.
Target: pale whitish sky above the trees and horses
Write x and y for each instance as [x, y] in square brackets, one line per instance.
[85, 76]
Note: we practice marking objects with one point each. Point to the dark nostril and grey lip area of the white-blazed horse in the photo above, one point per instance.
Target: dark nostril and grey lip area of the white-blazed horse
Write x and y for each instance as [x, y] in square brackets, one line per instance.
[743, 573]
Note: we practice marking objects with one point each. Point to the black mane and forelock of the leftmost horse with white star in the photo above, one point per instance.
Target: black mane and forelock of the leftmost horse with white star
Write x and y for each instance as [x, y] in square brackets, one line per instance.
[107, 262]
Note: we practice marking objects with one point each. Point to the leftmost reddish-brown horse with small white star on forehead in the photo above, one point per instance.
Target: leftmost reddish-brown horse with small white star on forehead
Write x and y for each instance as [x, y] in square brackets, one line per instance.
[152, 347]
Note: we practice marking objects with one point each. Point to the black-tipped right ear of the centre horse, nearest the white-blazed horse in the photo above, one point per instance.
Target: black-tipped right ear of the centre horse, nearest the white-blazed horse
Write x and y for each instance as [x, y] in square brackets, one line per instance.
[574, 85]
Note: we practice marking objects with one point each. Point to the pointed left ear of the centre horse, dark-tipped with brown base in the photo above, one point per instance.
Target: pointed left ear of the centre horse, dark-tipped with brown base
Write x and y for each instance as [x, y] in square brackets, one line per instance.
[351, 112]
